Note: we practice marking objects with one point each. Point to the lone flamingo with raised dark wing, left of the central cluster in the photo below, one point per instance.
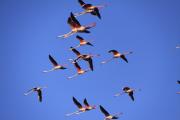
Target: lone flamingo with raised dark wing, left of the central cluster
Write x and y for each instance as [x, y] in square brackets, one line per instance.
[55, 64]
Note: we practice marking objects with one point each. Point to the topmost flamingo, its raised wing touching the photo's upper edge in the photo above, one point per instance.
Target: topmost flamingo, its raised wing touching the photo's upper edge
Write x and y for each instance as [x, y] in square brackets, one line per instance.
[89, 8]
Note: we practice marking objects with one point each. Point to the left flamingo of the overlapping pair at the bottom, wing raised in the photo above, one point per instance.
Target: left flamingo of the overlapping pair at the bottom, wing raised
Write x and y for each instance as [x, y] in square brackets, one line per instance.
[81, 109]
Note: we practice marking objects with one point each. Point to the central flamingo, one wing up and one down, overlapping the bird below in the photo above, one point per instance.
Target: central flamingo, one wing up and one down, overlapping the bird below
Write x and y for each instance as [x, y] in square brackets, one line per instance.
[86, 57]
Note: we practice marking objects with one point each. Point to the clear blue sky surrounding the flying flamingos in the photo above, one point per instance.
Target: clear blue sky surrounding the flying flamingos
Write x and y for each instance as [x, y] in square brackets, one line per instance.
[149, 28]
